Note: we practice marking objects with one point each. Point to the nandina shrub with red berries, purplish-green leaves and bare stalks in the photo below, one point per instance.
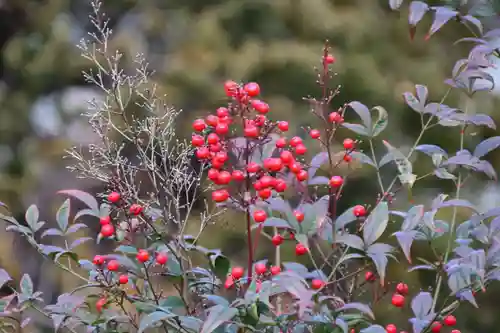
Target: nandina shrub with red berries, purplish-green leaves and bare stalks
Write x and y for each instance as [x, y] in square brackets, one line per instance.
[254, 168]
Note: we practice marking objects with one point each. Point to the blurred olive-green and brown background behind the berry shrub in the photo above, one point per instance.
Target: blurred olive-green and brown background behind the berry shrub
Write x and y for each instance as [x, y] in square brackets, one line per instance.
[194, 46]
